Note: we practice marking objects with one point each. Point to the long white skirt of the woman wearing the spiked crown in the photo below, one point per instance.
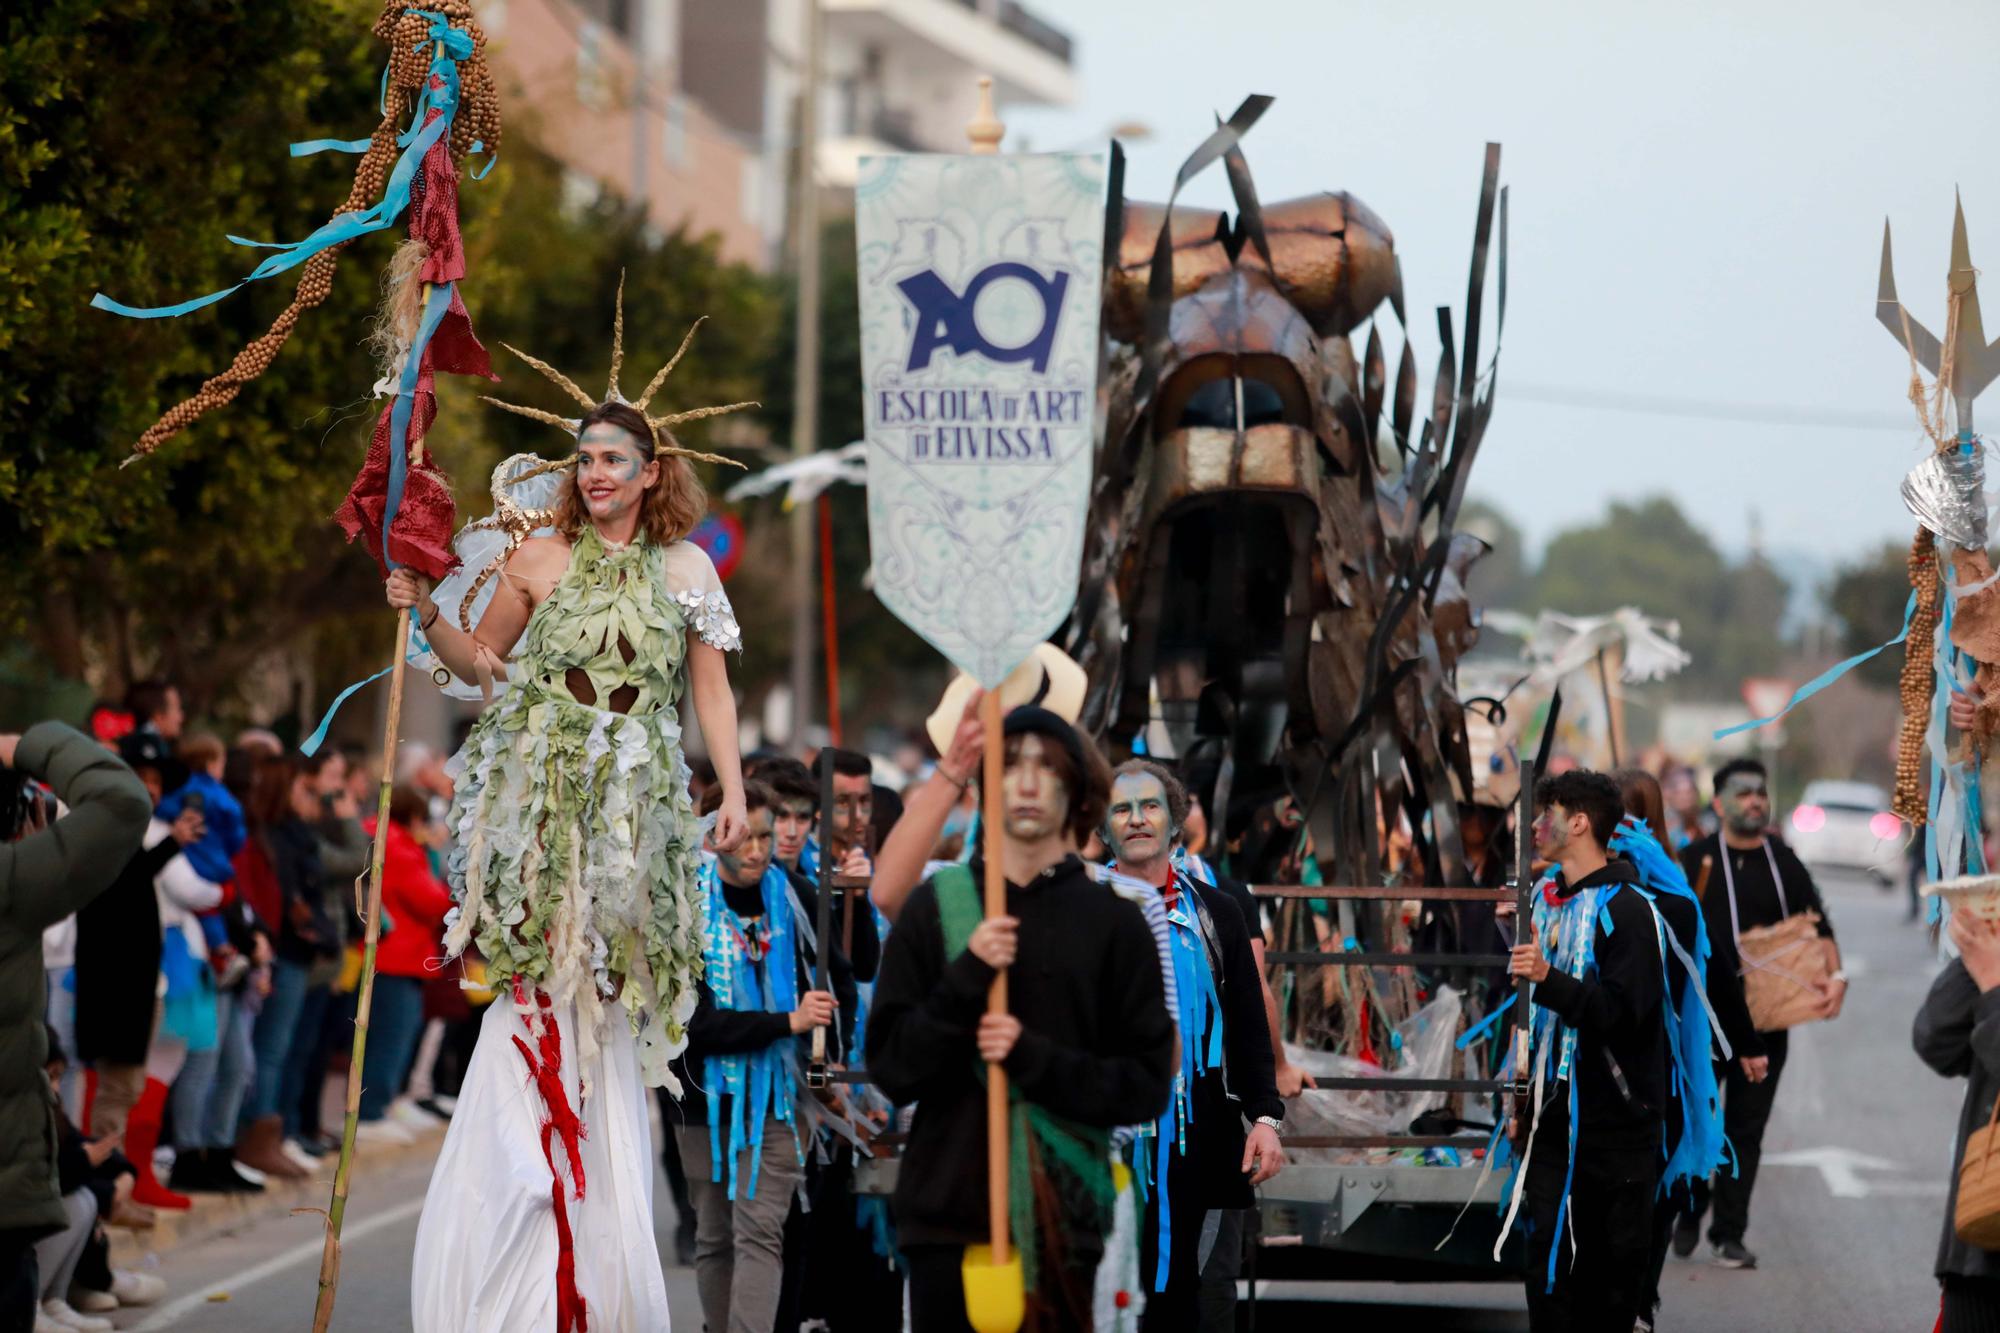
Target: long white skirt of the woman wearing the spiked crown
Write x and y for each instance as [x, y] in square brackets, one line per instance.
[487, 1244]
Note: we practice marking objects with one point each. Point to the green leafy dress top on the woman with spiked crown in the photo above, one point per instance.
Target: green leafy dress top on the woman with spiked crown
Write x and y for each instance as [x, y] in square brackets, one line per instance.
[577, 842]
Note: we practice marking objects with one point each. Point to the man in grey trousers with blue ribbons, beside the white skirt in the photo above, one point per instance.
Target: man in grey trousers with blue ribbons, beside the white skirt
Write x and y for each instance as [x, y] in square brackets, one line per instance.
[741, 1120]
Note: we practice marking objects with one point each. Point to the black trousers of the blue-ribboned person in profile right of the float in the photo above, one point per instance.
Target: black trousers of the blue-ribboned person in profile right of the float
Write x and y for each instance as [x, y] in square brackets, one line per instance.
[1601, 1286]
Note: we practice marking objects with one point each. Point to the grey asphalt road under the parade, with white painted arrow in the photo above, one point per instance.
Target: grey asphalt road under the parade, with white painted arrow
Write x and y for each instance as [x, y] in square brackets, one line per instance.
[1845, 1222]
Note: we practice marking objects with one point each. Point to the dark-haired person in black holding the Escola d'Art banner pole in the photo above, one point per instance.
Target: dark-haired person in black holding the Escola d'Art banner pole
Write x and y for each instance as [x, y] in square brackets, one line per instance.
[1087, 1044]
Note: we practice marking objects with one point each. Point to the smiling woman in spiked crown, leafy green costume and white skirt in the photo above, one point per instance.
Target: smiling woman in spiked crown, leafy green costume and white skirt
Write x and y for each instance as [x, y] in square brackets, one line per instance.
[575, 868]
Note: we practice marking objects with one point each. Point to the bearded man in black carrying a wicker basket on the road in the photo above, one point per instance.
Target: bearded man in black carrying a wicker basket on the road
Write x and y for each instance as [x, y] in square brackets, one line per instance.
[1759, 884]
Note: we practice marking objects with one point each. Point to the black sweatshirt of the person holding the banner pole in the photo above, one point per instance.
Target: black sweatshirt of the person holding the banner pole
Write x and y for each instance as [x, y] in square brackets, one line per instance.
[1097, 1042]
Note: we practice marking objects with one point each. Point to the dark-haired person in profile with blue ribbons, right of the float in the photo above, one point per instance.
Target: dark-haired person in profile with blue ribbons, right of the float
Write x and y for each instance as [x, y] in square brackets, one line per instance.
[1599, 1082]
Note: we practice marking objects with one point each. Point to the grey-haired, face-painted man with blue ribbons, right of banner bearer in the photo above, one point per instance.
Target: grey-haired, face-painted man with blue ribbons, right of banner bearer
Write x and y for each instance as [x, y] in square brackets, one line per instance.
[1201, 1164]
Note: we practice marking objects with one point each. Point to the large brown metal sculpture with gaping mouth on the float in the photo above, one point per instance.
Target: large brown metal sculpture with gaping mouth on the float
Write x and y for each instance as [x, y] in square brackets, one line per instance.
[1275, 567]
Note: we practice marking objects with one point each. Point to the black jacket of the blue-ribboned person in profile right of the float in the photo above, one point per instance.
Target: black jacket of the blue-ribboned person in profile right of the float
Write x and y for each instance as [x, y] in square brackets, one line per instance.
[1621, 1032]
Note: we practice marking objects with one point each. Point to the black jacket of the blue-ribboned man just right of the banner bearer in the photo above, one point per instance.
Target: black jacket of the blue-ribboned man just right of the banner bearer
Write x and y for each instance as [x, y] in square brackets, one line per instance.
[1247, 1086]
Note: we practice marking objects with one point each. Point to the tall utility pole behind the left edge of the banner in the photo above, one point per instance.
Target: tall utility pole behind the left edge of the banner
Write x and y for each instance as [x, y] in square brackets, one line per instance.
[805, 365]
